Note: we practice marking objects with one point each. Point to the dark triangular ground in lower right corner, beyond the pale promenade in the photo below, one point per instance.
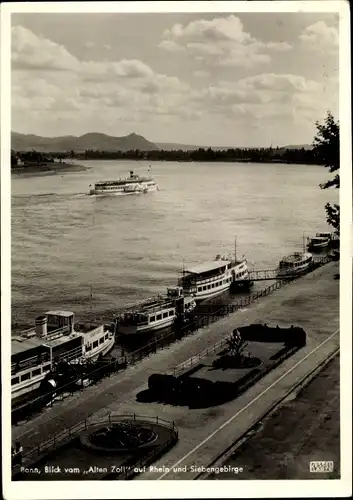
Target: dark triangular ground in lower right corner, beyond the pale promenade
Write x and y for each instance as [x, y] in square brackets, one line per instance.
[304, 429]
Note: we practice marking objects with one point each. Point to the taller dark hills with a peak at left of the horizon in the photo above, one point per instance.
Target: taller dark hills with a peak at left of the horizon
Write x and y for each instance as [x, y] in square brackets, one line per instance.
[103, 142]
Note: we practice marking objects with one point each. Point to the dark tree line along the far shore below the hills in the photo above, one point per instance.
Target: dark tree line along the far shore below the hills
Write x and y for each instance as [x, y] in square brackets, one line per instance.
[253, 155]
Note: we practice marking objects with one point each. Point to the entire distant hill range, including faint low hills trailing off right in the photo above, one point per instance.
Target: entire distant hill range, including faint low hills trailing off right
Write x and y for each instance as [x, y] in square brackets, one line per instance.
[103, 142]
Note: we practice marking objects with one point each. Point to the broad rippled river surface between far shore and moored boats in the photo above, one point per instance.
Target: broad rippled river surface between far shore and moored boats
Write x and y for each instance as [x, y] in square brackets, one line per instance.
[131, 247]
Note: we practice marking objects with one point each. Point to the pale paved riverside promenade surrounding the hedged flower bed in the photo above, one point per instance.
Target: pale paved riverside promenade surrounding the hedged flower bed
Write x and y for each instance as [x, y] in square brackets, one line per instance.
[311, 302]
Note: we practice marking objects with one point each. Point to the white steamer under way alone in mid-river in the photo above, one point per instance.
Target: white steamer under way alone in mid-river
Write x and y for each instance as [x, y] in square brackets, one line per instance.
[134, 184]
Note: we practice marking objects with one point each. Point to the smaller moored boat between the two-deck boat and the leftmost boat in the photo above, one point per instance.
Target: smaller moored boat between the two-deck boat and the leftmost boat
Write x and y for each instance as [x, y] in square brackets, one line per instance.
[155, 313]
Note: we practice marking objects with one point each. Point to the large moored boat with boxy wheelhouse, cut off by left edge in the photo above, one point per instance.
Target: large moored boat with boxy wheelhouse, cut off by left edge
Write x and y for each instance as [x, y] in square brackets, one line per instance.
[54, 339]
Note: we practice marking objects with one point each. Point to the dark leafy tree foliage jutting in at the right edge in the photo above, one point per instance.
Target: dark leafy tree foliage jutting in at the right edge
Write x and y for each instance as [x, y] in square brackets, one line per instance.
[326, 148]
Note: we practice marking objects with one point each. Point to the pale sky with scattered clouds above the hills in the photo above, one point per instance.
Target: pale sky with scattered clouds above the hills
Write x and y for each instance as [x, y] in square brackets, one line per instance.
[207, 79]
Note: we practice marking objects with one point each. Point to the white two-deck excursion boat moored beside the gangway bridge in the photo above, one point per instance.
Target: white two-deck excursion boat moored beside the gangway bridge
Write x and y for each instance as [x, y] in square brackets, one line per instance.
[212, 278]
